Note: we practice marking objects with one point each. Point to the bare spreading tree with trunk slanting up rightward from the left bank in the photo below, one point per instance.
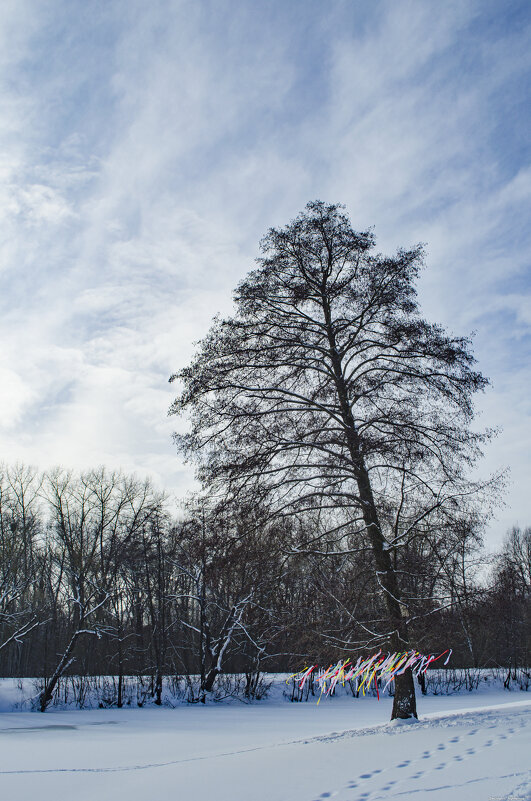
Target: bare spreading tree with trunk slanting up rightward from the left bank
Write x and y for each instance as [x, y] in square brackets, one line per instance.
[95, 518]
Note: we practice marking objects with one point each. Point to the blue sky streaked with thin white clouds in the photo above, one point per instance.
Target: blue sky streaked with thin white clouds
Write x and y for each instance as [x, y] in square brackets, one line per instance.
[145, 149]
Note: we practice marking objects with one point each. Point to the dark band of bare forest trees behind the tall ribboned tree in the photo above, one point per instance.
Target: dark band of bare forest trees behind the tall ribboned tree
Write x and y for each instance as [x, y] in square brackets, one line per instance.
[99, 577]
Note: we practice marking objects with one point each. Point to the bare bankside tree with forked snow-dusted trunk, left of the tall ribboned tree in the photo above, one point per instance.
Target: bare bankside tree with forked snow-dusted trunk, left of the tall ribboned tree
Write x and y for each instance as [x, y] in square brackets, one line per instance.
[229, 560]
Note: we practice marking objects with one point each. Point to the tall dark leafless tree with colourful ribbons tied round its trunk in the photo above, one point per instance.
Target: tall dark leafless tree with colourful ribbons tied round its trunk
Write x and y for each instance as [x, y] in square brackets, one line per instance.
[328, 390]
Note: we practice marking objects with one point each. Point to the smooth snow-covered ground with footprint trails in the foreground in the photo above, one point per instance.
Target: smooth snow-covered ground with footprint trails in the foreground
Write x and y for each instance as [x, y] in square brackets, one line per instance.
[467, 747]
